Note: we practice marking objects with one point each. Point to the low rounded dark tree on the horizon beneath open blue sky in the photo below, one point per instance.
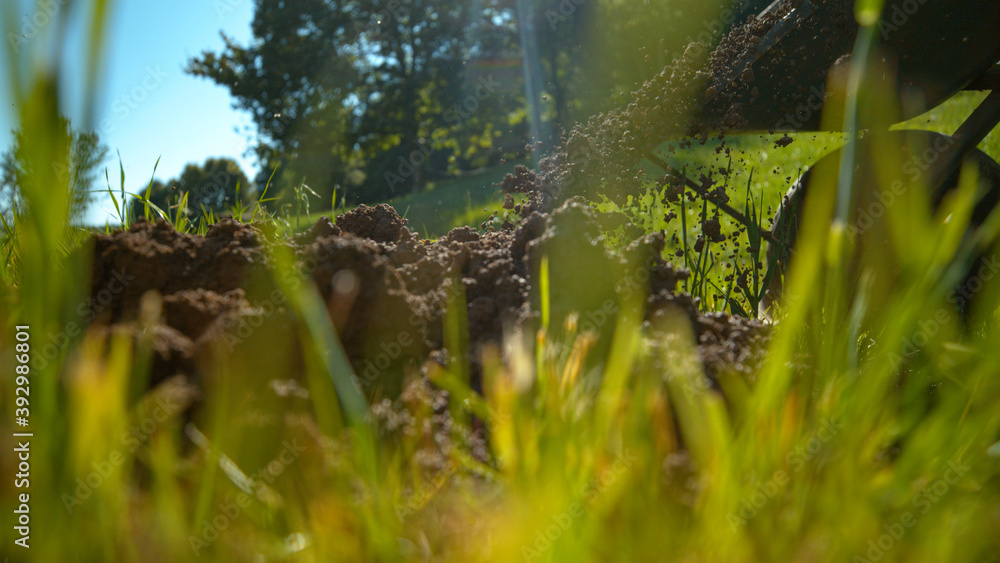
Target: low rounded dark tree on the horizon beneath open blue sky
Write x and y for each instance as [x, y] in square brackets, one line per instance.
[214, 187]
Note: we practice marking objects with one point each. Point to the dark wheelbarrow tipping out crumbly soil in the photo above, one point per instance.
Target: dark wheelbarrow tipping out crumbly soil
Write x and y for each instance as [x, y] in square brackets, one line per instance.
[773, 73]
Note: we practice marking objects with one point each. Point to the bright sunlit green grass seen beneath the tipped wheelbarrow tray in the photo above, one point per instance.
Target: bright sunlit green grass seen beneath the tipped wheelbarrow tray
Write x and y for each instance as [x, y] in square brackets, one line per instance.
[757, 170]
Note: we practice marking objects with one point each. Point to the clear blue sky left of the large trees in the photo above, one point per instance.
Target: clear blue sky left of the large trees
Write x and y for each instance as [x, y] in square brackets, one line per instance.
[147, 107]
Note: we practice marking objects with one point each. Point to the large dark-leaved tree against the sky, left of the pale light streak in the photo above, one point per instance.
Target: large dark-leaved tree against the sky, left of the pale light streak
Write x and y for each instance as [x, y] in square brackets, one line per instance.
[341, 87]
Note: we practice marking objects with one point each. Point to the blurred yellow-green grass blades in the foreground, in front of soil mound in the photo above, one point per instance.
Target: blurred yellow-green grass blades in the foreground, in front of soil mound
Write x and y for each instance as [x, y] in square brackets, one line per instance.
[849, 444]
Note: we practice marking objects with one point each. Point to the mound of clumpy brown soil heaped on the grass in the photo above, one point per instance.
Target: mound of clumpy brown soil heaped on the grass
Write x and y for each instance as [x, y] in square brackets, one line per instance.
[387, 291]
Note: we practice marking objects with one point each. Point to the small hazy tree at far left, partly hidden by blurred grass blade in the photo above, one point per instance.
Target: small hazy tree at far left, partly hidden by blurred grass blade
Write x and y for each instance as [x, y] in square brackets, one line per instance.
[79, 170]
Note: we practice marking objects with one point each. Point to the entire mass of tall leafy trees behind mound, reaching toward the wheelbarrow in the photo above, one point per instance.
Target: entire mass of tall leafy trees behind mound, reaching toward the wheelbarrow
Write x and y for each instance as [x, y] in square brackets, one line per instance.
[375, 97]
